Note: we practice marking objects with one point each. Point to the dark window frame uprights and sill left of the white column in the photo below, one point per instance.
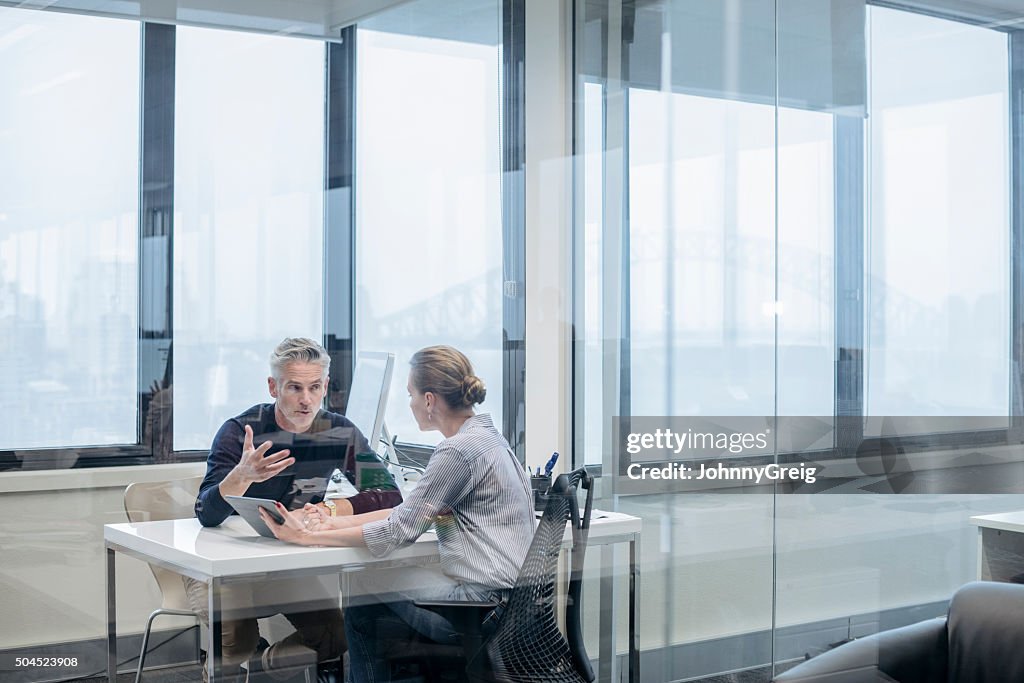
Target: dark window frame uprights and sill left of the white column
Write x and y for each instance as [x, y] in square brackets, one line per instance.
[157, 70]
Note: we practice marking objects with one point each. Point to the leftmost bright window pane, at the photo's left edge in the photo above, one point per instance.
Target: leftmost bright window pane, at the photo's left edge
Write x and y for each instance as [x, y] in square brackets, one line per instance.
[69, 230]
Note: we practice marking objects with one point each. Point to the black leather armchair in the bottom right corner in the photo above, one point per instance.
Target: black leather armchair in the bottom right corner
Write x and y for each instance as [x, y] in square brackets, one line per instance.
[980, 642]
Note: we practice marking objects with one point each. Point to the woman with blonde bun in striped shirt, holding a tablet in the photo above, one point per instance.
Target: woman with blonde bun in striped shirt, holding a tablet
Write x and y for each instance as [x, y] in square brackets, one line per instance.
[477, 494]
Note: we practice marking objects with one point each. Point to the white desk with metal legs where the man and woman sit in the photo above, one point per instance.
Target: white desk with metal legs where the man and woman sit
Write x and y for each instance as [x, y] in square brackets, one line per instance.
[234, 552]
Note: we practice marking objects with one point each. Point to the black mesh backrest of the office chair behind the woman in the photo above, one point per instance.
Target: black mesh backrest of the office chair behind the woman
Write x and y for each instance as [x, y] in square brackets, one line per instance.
[528, 646]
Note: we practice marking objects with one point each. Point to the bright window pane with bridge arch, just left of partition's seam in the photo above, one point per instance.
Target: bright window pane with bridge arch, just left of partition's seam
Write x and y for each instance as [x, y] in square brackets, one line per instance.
[702, 255]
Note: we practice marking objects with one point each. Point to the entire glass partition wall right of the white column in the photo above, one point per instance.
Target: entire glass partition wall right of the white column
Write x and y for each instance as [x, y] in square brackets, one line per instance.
[799, 210]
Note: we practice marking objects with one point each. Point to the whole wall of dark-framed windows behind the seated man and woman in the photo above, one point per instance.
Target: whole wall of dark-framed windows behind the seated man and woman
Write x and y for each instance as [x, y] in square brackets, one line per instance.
[179, 196]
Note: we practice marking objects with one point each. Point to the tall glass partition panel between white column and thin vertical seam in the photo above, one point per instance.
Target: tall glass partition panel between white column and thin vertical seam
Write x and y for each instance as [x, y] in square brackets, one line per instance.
[676, 235]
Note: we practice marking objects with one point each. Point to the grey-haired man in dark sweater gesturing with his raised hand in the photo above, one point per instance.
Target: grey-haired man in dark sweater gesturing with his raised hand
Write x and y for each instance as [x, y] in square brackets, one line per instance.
[298, 382]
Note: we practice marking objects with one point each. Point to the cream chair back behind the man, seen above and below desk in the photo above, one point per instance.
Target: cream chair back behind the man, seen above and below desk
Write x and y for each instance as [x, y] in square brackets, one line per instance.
[153, 501]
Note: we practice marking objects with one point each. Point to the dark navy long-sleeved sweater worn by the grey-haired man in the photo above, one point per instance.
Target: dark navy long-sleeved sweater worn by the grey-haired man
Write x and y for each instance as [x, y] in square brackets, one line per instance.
[212, 509]
